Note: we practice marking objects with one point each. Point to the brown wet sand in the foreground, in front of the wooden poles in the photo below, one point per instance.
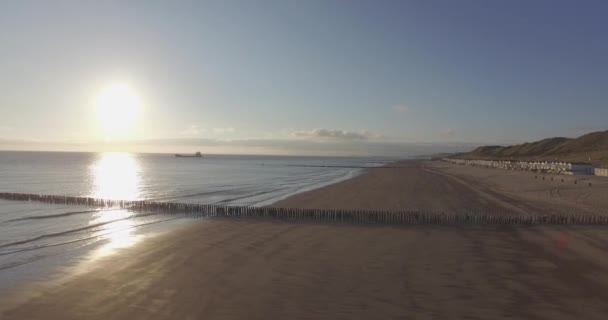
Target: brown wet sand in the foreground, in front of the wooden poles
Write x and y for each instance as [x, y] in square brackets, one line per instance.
[227, 269]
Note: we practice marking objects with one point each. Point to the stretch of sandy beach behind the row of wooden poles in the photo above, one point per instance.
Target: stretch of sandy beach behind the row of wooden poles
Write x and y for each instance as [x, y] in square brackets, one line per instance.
[441, 186]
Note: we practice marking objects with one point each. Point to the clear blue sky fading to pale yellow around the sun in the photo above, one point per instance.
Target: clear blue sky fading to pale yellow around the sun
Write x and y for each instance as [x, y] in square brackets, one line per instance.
[302, 77]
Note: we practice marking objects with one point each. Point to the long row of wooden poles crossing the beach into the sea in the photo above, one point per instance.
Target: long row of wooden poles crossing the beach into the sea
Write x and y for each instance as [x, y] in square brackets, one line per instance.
[328, 215]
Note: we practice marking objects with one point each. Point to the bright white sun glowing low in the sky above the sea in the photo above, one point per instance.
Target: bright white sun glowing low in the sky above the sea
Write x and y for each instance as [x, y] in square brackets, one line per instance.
[118, 108]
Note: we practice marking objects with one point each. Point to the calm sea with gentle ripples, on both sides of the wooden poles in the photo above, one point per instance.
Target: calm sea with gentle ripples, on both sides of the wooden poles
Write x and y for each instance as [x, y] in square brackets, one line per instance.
[37, 239]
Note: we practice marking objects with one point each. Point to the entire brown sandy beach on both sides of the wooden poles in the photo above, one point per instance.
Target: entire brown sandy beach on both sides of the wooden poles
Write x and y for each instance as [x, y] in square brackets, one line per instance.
[255, 269]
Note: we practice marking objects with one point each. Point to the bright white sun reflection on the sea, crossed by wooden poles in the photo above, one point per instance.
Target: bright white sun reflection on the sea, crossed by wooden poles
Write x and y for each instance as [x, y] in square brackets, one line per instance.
[115, 176]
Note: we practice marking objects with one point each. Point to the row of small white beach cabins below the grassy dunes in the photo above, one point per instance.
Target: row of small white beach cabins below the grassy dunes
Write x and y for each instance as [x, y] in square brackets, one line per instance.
[570, 168]
